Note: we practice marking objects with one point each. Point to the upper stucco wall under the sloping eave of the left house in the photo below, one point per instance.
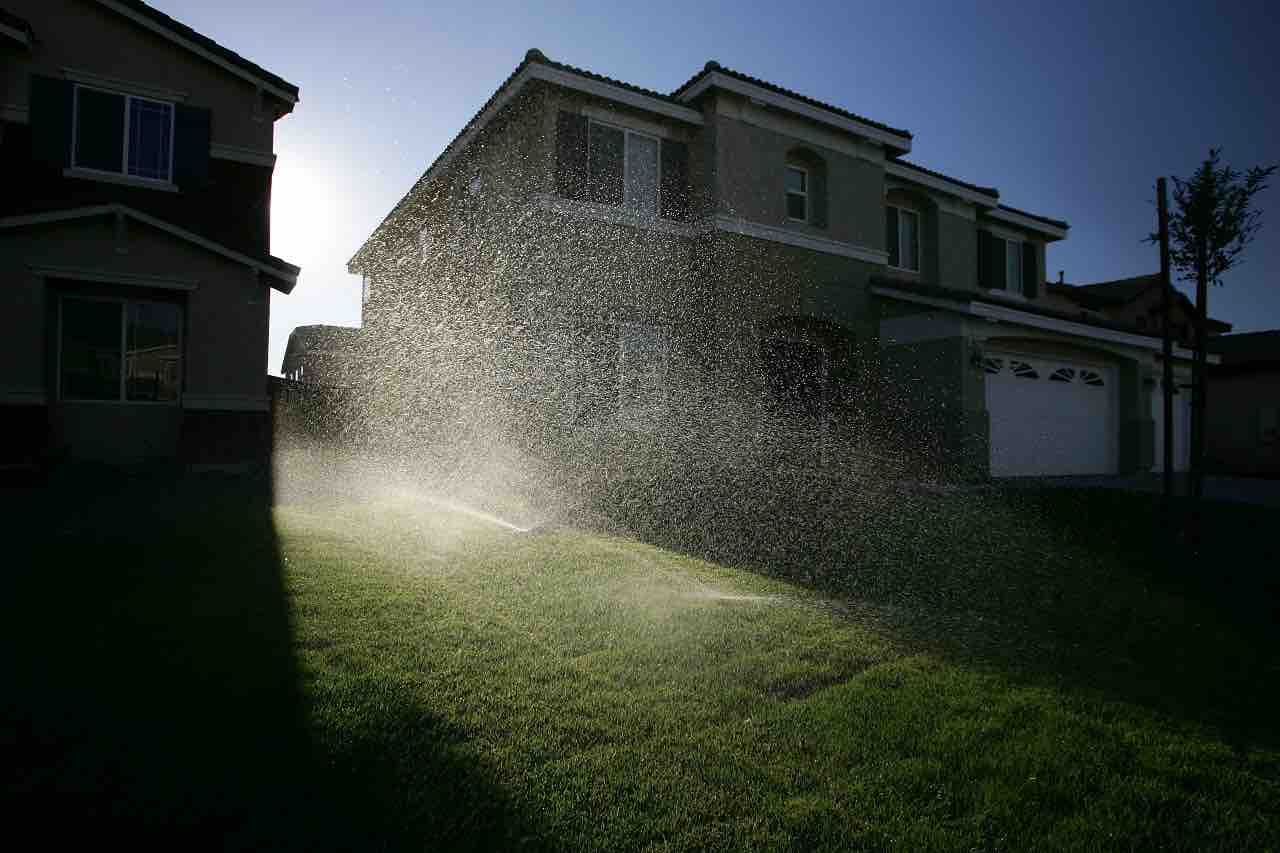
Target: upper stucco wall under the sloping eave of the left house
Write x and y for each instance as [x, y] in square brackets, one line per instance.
[89, 38]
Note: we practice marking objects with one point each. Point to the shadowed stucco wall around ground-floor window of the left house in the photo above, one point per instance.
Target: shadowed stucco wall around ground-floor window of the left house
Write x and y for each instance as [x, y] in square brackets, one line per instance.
[226, 322]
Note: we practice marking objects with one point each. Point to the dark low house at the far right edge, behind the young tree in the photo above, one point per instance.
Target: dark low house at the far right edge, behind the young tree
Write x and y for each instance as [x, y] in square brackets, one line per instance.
[1244, 416]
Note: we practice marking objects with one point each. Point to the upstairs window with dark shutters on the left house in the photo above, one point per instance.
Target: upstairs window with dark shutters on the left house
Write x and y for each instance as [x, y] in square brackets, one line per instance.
[122, 134]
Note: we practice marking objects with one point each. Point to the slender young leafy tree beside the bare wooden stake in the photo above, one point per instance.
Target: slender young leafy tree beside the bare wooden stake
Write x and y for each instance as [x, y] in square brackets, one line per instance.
[1210, 227]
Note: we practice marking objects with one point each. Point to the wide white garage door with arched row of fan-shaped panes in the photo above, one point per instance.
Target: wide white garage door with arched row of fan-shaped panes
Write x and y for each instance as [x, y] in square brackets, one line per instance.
[1050, 418]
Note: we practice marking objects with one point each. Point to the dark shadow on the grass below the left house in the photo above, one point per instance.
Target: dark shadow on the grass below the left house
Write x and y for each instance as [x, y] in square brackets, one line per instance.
[152, 696]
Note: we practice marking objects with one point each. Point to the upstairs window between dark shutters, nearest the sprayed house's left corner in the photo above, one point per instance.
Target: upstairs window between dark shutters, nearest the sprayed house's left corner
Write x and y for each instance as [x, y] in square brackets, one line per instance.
[624, 168]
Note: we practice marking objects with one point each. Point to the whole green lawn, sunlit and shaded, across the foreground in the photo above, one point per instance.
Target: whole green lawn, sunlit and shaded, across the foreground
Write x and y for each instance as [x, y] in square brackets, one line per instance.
[392, 676]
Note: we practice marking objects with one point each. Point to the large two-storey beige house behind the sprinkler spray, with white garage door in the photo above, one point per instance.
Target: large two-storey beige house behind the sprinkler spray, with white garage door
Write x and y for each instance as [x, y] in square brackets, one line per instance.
[733, 264]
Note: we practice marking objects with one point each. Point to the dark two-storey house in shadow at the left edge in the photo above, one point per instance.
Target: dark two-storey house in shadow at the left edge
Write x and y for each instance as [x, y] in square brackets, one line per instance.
[136, 161]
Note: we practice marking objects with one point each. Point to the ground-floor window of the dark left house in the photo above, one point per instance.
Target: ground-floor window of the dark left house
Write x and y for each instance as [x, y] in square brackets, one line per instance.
[120, 350]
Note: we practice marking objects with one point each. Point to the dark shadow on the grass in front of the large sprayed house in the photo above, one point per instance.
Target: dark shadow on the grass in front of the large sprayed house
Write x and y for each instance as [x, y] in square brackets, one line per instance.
[1071, 589]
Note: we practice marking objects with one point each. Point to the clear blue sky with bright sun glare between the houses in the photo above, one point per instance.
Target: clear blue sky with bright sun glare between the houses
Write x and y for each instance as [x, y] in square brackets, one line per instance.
[1072, 111]
